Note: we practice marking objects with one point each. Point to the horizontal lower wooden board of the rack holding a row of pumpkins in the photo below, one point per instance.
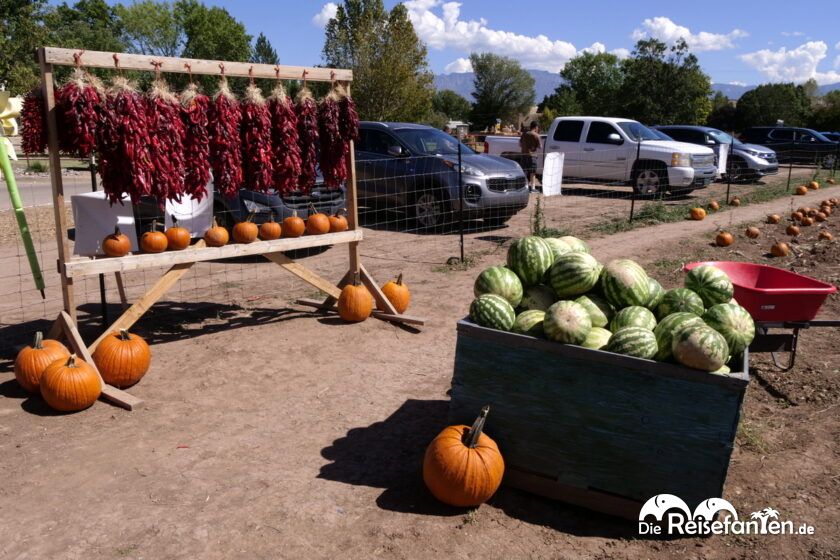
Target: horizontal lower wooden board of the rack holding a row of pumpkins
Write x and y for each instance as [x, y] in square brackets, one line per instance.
[200, 252]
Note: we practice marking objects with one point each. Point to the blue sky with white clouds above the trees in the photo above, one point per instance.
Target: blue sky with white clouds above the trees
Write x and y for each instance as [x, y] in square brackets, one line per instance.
[736, 42]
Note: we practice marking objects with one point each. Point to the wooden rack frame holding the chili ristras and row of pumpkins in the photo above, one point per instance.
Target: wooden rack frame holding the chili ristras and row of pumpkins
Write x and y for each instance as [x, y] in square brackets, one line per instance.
[180, 262]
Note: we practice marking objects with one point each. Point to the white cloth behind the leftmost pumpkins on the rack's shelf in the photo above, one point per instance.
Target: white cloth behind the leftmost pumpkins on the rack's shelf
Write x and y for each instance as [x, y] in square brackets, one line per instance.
[95, 219]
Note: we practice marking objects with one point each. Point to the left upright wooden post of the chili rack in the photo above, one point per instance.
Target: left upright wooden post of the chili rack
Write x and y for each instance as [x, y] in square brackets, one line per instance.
[59, 208]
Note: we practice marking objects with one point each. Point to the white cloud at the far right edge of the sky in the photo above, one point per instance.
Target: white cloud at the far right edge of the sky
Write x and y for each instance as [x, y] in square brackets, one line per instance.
[793, 65]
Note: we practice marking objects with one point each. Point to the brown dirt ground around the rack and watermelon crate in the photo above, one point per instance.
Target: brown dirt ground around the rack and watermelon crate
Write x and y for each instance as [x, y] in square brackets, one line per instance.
[267, 431]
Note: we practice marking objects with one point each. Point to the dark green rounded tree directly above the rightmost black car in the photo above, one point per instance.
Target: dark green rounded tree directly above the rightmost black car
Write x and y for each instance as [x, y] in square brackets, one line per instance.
[769, 103]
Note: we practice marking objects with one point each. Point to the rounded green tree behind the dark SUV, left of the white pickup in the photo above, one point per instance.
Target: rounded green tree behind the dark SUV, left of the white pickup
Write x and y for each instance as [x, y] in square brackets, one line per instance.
[503, 89]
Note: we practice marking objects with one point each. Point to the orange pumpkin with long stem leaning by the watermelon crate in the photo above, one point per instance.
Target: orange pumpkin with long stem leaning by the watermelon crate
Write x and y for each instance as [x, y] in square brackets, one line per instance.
[462, 466]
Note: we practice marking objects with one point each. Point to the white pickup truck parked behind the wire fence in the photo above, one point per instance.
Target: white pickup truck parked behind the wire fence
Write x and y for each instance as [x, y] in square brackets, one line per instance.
[609, 150]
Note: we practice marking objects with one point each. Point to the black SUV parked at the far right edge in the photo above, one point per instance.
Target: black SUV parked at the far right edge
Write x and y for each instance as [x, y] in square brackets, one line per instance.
[795, 145]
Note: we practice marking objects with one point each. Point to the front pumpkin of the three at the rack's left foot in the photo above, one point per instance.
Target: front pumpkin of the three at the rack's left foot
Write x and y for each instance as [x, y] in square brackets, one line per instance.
[70, 384]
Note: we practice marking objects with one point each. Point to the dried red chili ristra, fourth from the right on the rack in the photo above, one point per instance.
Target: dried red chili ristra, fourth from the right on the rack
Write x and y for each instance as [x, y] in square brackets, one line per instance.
[284, 141]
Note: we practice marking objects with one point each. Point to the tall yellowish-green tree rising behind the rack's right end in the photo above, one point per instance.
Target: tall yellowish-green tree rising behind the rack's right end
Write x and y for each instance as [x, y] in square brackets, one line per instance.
[391, 78]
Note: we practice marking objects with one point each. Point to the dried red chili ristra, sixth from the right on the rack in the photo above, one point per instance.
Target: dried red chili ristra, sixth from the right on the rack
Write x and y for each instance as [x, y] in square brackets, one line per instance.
[225, 143]
